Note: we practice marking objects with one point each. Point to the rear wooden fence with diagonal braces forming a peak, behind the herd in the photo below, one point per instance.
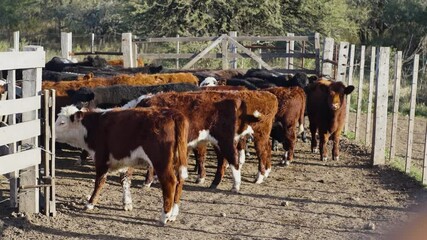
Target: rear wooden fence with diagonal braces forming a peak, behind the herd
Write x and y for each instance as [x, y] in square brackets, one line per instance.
[233, 48]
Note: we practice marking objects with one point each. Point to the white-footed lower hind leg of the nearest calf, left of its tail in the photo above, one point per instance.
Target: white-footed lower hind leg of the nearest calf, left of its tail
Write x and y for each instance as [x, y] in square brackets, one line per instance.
[168, 182]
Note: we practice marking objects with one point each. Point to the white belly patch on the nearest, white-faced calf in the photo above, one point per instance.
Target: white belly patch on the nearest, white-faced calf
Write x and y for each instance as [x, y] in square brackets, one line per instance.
[135, 158]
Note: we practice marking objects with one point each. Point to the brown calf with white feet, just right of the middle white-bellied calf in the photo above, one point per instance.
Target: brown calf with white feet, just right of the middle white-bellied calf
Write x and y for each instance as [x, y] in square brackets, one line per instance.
[264, 103]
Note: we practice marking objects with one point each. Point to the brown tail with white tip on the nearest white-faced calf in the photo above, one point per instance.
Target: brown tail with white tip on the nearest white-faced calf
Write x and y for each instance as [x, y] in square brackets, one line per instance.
[181, 139]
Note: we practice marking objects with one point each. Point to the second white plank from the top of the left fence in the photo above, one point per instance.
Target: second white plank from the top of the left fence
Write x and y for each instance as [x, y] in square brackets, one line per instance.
[19, 105]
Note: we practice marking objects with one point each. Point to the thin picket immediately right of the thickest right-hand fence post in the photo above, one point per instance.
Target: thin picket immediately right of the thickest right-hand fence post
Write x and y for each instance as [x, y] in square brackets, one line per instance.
[396, 97]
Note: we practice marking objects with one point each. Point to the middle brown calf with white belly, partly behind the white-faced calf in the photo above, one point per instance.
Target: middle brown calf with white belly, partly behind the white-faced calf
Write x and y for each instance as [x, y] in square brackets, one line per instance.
[218, 118]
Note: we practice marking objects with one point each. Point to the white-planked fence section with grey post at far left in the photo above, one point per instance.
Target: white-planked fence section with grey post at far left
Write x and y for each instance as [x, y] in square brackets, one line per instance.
[27, 141]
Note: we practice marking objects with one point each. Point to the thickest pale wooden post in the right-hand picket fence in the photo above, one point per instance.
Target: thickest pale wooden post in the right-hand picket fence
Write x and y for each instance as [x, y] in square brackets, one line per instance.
[381, 100]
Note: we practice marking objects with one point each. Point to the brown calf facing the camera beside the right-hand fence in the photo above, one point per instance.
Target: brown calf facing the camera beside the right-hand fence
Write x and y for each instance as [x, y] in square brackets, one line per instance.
[326, 108]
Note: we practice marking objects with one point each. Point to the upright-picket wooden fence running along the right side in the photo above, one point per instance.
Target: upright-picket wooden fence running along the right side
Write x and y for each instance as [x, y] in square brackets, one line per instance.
[377, 126]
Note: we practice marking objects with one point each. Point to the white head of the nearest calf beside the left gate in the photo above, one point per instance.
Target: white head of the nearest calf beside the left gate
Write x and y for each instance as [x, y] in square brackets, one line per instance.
[69, 128]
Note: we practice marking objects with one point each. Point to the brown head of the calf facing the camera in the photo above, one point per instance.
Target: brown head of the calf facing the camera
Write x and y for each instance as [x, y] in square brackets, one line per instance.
[336, 92]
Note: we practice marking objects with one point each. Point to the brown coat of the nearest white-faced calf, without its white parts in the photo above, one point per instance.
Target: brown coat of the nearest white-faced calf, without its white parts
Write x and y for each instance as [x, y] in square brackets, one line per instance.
[161, 132]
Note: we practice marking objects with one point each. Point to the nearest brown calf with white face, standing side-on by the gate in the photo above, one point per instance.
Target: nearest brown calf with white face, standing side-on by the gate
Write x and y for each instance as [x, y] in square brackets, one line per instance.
[119, 139]
